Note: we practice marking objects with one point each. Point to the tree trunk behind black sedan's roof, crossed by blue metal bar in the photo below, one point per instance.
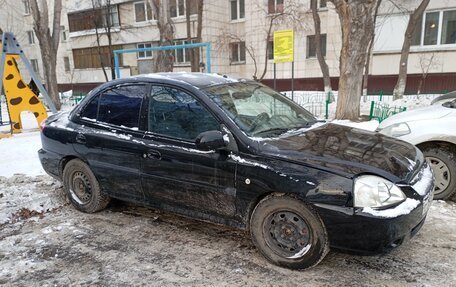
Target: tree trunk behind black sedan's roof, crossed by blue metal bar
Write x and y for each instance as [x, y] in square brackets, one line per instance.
[165, 60]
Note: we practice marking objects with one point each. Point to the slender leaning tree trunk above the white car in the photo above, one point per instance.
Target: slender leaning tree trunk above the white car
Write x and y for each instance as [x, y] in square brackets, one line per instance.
[415, 17]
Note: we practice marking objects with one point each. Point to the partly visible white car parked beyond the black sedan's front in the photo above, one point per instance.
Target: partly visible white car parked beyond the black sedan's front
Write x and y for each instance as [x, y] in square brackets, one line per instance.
[433, 130]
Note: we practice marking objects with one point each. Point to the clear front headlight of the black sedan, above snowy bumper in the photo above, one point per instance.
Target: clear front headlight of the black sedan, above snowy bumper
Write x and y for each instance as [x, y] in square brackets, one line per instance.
[374, 191]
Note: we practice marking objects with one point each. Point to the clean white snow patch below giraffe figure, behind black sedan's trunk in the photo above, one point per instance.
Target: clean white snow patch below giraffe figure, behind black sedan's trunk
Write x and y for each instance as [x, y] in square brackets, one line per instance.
[19, 155]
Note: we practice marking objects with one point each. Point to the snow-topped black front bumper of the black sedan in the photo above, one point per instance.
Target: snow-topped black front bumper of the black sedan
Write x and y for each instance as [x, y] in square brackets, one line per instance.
[369, 231]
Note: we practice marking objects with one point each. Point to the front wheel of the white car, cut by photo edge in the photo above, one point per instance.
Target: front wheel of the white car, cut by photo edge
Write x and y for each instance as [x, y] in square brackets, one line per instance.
[442, 157]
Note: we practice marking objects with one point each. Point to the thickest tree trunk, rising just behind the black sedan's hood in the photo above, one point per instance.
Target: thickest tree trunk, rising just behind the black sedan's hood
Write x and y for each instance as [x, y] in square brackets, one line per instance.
[357, 19]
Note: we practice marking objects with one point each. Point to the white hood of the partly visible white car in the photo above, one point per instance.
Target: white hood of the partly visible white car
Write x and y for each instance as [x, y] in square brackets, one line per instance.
[420, 114]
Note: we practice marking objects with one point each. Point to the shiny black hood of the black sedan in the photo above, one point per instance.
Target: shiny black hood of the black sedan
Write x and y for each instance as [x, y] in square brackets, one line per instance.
[348, 152]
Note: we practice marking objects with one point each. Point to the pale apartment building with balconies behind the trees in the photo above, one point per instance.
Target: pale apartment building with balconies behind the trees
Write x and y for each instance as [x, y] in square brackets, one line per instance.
[237, 30]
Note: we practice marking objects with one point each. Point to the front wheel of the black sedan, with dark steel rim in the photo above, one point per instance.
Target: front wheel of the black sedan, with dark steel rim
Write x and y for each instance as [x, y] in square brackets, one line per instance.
[288, 232]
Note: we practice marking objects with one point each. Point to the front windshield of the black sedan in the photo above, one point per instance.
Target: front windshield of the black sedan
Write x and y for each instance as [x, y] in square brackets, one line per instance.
[258, 110]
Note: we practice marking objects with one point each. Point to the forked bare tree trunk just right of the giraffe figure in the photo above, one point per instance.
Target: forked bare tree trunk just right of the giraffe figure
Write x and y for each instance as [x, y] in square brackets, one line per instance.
[49, 42]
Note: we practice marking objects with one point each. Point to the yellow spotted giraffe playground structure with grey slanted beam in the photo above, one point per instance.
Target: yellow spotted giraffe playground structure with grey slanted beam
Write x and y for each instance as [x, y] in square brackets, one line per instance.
[20, 96]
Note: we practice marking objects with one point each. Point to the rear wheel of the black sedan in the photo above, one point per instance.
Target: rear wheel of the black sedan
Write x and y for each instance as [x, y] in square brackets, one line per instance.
[82, 188]
